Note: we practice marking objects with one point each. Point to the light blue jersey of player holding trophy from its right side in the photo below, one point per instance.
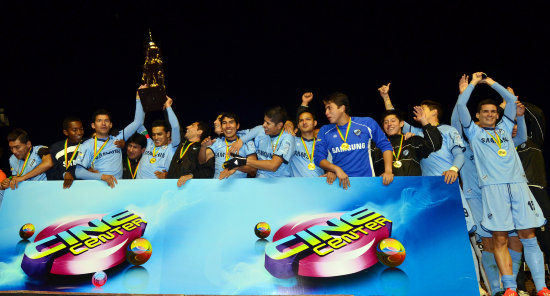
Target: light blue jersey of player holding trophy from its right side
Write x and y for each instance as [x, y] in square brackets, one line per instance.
[159, 158]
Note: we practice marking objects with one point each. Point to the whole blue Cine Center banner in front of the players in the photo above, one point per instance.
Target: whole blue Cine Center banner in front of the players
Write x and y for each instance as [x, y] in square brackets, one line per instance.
[324, 240]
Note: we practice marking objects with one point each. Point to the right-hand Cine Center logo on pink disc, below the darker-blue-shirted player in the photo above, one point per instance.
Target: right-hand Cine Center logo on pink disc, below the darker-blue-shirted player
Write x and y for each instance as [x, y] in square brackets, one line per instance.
[327, 245]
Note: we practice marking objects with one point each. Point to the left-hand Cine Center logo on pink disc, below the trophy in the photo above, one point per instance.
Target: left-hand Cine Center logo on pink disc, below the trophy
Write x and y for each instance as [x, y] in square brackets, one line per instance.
[82, 245]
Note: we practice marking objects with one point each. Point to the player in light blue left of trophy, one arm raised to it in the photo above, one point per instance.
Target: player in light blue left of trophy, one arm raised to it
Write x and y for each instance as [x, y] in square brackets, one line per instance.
[100, 154]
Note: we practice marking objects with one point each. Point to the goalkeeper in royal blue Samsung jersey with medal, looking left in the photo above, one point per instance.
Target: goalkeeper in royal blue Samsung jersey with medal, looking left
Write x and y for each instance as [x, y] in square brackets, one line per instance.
[348, 140]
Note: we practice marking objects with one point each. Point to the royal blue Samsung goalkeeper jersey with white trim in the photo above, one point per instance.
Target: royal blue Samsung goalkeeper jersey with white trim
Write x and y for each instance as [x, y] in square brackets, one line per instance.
[355, 161]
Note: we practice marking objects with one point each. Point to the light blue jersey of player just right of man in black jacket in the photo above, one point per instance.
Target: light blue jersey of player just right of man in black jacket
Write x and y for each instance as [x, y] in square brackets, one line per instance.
[442, 159]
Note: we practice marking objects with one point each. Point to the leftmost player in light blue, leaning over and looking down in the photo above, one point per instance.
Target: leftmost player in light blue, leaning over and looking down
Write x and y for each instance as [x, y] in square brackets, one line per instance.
[28, 162]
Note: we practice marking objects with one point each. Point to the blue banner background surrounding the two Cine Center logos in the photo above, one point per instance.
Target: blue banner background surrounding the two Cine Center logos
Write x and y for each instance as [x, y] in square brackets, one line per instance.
[203, 239]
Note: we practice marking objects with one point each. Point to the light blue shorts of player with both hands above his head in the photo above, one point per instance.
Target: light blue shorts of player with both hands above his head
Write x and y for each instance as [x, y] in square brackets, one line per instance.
[508, 207]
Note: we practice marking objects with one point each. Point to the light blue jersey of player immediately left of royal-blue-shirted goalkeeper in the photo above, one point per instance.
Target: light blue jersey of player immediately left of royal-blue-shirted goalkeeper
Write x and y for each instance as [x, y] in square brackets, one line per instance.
[302, 161]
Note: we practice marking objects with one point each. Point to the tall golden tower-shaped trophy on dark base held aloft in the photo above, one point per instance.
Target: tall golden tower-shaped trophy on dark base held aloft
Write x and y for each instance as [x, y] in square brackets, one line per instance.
[154, 96]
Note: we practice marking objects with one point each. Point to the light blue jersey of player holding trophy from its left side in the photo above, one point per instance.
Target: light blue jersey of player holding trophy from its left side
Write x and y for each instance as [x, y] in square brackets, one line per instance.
[109, 160]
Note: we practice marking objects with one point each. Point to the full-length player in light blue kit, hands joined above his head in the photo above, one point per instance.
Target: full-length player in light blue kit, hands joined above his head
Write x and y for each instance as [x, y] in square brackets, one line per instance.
[507, 202]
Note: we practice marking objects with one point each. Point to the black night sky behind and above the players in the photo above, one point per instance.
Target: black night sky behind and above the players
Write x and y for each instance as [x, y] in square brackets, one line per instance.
[72, 57]
